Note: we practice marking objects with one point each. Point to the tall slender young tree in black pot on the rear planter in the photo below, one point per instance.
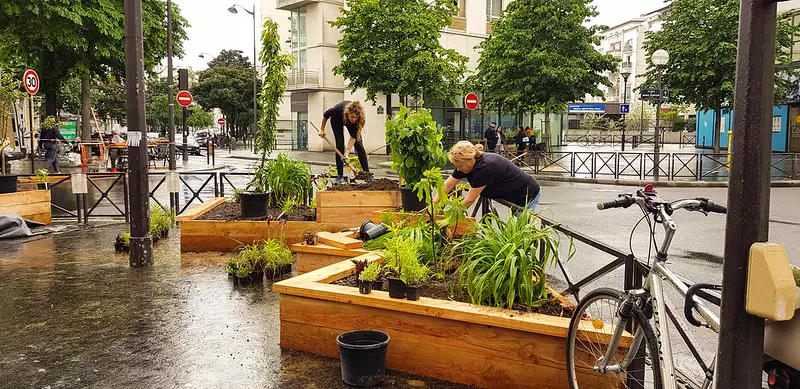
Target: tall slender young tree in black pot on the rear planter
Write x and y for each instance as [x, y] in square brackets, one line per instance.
[273, 80]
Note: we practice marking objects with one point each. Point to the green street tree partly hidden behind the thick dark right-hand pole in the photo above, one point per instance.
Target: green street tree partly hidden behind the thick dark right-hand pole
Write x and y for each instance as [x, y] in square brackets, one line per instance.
[701, 37]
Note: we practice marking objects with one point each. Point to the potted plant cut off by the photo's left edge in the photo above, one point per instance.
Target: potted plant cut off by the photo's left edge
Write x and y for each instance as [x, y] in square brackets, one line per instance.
[10, 92]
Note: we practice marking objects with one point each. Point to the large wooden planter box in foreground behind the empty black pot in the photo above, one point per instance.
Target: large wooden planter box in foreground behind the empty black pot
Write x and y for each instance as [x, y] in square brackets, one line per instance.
[459, 342]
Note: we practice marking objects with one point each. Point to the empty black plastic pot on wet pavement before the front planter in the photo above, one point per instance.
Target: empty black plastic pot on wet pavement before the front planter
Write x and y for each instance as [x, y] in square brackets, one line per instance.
[363, 357]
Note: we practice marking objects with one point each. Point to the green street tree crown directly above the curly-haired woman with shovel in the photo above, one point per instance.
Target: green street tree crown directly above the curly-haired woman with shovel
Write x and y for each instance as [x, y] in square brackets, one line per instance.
[392, 46]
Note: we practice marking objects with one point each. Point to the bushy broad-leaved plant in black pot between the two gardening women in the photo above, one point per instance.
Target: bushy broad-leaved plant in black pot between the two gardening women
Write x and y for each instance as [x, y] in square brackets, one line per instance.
[415, 141]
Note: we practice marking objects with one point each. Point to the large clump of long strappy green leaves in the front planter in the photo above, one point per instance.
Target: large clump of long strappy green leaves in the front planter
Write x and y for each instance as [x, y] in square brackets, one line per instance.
[504, 262]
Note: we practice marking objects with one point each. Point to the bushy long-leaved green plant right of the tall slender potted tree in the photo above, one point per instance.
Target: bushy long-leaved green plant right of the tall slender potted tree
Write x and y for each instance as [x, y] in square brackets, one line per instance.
[288, 180]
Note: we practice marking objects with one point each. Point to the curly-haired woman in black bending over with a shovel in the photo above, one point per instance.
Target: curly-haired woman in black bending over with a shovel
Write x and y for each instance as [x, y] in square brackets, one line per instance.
[348, 114]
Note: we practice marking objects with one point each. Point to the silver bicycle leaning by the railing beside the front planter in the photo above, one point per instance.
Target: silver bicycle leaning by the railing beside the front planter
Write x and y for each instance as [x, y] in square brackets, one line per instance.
[631, 311]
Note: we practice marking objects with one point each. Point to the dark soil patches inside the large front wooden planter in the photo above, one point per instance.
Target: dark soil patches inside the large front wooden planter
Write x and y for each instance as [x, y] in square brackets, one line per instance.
[440, 290]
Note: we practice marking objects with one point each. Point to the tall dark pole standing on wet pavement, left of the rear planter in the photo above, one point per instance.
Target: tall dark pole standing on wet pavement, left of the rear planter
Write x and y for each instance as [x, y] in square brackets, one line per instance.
[141, 242]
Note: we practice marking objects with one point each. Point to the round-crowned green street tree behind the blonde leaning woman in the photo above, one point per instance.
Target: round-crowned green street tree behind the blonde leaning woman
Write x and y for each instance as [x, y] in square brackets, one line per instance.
[540, 57]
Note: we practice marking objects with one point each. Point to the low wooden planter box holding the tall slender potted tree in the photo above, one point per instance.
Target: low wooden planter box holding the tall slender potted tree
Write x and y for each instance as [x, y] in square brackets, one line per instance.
[220, 235]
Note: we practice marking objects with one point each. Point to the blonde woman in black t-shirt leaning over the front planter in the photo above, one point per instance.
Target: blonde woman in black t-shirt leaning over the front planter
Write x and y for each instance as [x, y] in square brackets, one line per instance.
[491, 176]
